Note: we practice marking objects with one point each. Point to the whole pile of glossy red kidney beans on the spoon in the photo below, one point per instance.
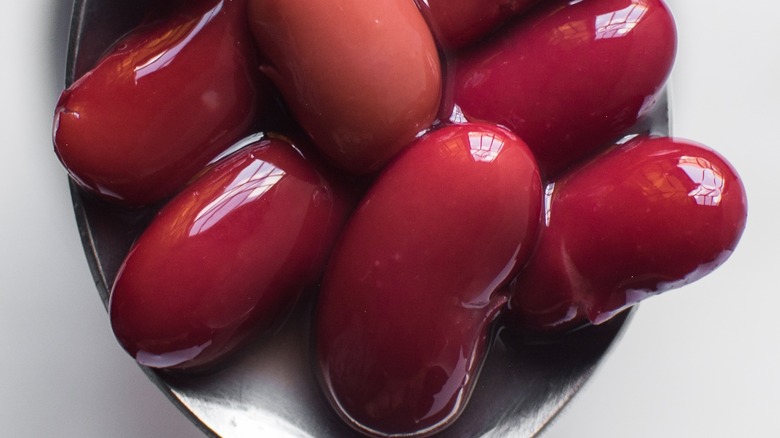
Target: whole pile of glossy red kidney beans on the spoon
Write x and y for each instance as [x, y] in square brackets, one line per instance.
[428, 168]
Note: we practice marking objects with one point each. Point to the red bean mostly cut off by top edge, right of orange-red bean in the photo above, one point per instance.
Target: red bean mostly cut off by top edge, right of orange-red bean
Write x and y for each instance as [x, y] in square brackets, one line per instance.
[457, 23]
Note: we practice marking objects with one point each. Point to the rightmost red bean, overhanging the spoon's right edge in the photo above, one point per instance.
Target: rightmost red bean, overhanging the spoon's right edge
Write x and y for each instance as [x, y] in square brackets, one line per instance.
[651, 215]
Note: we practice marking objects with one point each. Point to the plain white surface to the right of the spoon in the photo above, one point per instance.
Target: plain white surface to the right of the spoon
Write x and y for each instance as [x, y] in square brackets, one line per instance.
[704, 361]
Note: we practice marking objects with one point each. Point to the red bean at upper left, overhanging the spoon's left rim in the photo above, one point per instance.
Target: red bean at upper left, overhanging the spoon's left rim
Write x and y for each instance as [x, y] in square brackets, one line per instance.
[161, 104]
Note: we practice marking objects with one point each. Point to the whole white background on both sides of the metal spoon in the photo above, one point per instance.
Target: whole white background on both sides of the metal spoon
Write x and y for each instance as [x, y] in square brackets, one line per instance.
[703, 361]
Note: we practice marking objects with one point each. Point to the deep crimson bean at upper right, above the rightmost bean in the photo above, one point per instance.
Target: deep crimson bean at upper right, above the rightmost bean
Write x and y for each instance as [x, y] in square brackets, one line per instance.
[571, 77]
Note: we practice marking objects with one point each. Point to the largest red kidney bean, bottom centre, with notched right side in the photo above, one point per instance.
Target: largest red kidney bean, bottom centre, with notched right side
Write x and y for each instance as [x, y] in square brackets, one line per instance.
[410, 293]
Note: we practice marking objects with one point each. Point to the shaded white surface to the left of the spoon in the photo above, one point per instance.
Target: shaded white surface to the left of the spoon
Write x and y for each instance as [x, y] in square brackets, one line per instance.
[62, 374]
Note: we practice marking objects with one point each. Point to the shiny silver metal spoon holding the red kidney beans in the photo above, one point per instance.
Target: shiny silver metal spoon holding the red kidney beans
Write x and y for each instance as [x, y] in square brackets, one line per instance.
[271, 388]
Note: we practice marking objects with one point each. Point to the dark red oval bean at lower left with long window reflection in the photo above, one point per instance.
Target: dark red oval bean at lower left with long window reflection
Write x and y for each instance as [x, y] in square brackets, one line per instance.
[226, 258]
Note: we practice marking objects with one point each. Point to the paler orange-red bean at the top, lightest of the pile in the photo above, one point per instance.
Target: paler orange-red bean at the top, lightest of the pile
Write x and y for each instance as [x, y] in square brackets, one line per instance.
[361, 77]
